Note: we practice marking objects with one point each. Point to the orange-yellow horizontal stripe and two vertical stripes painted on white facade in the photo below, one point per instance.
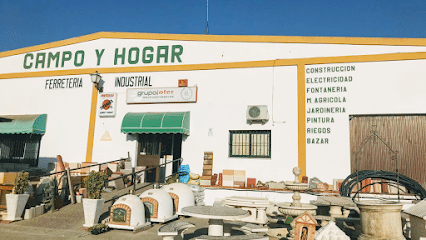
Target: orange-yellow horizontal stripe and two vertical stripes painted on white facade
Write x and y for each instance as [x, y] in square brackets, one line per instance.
[301, 63]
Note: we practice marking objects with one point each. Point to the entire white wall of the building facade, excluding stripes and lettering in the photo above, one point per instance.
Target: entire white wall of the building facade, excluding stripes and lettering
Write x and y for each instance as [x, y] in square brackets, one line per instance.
[223, 95]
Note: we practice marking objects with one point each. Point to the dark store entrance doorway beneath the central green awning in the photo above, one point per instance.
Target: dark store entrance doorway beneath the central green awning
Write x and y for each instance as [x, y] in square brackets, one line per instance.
[155, 149]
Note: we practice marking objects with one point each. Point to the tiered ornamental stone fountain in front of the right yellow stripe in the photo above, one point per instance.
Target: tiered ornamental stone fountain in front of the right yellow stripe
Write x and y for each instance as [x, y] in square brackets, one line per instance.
[296, 208]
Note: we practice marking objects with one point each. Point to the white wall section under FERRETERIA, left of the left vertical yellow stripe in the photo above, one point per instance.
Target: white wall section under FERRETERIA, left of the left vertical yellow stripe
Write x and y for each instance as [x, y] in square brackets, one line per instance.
[67, 112]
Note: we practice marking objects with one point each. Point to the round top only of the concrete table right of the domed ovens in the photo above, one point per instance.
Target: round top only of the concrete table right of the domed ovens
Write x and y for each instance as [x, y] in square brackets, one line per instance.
[215, 212]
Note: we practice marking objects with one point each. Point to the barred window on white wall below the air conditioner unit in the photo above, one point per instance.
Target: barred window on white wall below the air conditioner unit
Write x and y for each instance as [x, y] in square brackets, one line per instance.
[250, 143]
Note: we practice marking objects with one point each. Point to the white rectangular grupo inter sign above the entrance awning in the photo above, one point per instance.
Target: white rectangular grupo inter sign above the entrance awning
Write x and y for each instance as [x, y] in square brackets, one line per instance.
[162, 95]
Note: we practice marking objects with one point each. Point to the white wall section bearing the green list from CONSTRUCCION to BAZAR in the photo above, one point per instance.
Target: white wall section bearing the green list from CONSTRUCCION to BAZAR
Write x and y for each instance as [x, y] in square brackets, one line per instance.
[394, 87]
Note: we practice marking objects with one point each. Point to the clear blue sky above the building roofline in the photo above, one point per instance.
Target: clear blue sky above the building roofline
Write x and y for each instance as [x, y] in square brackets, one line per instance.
[26, 23]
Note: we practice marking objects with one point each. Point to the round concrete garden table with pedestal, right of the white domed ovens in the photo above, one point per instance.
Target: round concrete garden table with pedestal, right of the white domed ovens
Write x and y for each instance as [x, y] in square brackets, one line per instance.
[216, 215]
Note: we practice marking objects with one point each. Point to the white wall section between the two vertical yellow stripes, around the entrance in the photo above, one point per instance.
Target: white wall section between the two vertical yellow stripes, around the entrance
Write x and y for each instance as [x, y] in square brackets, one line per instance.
[223, 96]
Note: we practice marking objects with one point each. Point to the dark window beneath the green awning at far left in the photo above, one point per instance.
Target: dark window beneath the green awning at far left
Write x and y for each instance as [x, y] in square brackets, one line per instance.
[20, 148]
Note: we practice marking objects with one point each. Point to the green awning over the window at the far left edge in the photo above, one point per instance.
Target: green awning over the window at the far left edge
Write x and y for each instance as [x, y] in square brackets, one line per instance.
[23, 124]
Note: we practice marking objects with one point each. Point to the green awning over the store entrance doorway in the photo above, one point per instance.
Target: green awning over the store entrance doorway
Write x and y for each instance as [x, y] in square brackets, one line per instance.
[164, 122]
